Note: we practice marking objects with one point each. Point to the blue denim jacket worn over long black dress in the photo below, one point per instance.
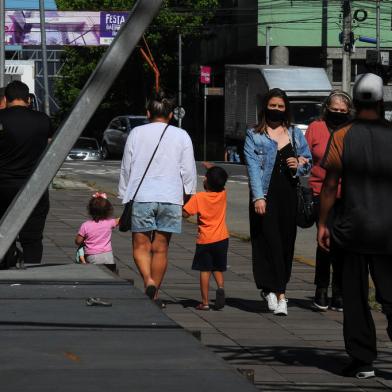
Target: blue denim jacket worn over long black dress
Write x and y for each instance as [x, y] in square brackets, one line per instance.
[260, 155]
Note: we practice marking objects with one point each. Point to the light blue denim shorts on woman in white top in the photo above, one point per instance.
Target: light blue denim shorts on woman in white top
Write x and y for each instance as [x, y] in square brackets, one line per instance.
[157, 216]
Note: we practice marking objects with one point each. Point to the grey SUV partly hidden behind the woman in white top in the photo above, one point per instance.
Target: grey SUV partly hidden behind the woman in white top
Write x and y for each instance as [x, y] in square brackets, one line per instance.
[116, 134]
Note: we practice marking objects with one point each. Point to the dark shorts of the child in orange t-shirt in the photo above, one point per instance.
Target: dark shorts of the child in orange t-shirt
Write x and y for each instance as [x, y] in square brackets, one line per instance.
[211, 257]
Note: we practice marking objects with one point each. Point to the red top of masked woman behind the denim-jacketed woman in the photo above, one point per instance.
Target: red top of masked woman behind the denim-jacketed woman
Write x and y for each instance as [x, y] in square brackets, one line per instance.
[317, 136]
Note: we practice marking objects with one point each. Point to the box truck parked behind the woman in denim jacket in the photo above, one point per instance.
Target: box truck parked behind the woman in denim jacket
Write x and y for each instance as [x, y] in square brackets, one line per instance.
[245, 86]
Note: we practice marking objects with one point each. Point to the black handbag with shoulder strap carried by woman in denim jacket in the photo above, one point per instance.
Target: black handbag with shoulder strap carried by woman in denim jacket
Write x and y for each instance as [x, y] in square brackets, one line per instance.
[305, 206]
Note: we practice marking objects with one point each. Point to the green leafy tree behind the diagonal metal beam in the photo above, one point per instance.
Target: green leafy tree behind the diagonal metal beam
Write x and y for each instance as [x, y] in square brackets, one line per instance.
[136, 81]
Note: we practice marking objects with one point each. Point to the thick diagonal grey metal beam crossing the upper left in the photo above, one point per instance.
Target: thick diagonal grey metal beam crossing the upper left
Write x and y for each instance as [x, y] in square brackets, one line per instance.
[86, 104]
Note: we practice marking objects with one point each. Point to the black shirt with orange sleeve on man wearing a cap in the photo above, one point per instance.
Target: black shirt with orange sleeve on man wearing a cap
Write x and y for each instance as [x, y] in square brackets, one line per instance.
[362, 154]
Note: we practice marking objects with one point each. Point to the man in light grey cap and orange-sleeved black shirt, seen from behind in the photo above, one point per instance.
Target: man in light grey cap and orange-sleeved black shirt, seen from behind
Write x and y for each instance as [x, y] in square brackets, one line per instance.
[360, 154]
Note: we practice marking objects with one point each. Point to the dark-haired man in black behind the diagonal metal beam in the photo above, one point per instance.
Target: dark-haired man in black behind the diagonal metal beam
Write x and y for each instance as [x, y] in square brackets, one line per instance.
[24, 135]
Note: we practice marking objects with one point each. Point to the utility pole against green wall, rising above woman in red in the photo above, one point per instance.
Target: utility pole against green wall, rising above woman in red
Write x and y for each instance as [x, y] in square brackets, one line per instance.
[346, 49]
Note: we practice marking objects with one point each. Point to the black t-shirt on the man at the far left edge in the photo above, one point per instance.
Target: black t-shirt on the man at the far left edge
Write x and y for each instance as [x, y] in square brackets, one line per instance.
[24, 135]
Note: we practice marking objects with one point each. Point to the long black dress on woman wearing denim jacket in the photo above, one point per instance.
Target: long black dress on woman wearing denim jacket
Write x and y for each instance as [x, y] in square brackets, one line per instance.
[273, 234]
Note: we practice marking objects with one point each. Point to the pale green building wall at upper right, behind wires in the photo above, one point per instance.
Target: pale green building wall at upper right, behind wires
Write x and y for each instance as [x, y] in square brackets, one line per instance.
[299, 22]
